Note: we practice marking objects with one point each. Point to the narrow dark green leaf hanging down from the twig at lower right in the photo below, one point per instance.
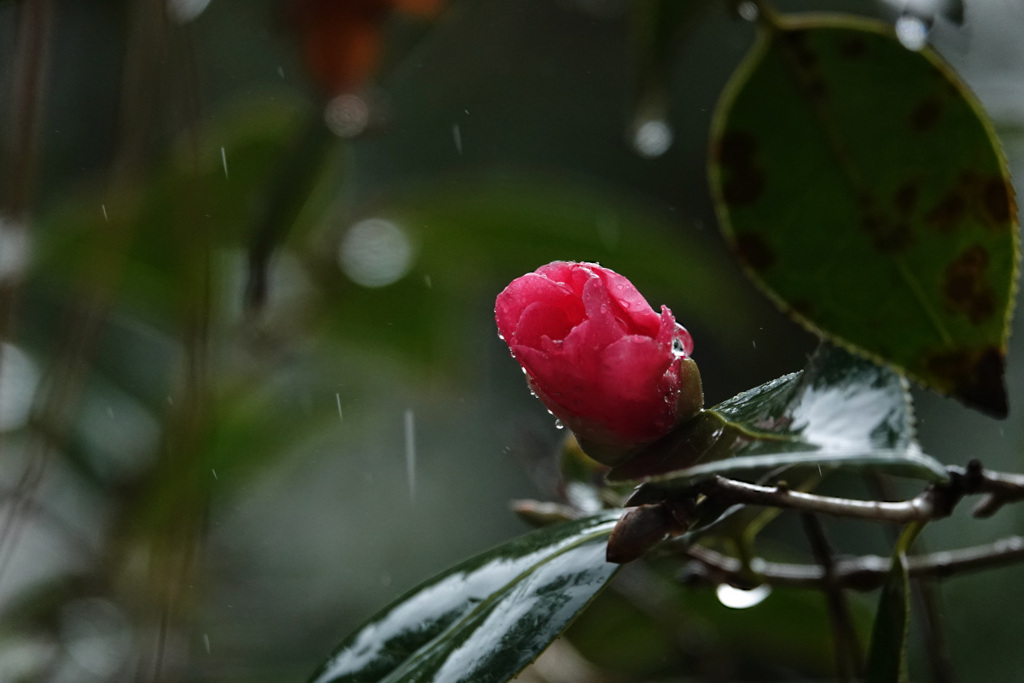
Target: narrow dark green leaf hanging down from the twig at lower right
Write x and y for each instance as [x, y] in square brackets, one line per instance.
[887, 659]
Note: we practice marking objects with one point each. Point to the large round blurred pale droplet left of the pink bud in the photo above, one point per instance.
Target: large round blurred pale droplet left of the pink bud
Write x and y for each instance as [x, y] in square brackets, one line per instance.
[376, 252]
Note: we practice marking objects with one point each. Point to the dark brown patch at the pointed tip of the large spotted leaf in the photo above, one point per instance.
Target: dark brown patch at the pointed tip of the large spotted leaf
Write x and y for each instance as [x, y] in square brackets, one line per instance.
[975, 377]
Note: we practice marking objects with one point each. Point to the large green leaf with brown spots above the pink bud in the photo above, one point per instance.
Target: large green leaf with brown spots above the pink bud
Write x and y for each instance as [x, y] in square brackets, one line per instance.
[863, 188]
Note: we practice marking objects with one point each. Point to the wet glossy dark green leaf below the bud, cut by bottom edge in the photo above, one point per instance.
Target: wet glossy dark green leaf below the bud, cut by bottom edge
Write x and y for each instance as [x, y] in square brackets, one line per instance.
[487, 619]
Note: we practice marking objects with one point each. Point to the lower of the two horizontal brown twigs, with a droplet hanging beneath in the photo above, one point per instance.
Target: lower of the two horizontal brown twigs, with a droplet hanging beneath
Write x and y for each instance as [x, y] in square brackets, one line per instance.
[861, 574]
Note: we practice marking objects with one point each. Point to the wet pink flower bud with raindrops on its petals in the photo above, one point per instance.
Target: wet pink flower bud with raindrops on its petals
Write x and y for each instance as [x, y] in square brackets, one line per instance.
[614, 371]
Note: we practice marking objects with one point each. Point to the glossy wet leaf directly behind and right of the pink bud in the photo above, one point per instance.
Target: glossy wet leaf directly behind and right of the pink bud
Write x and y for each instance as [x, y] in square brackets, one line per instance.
[841, 412]
